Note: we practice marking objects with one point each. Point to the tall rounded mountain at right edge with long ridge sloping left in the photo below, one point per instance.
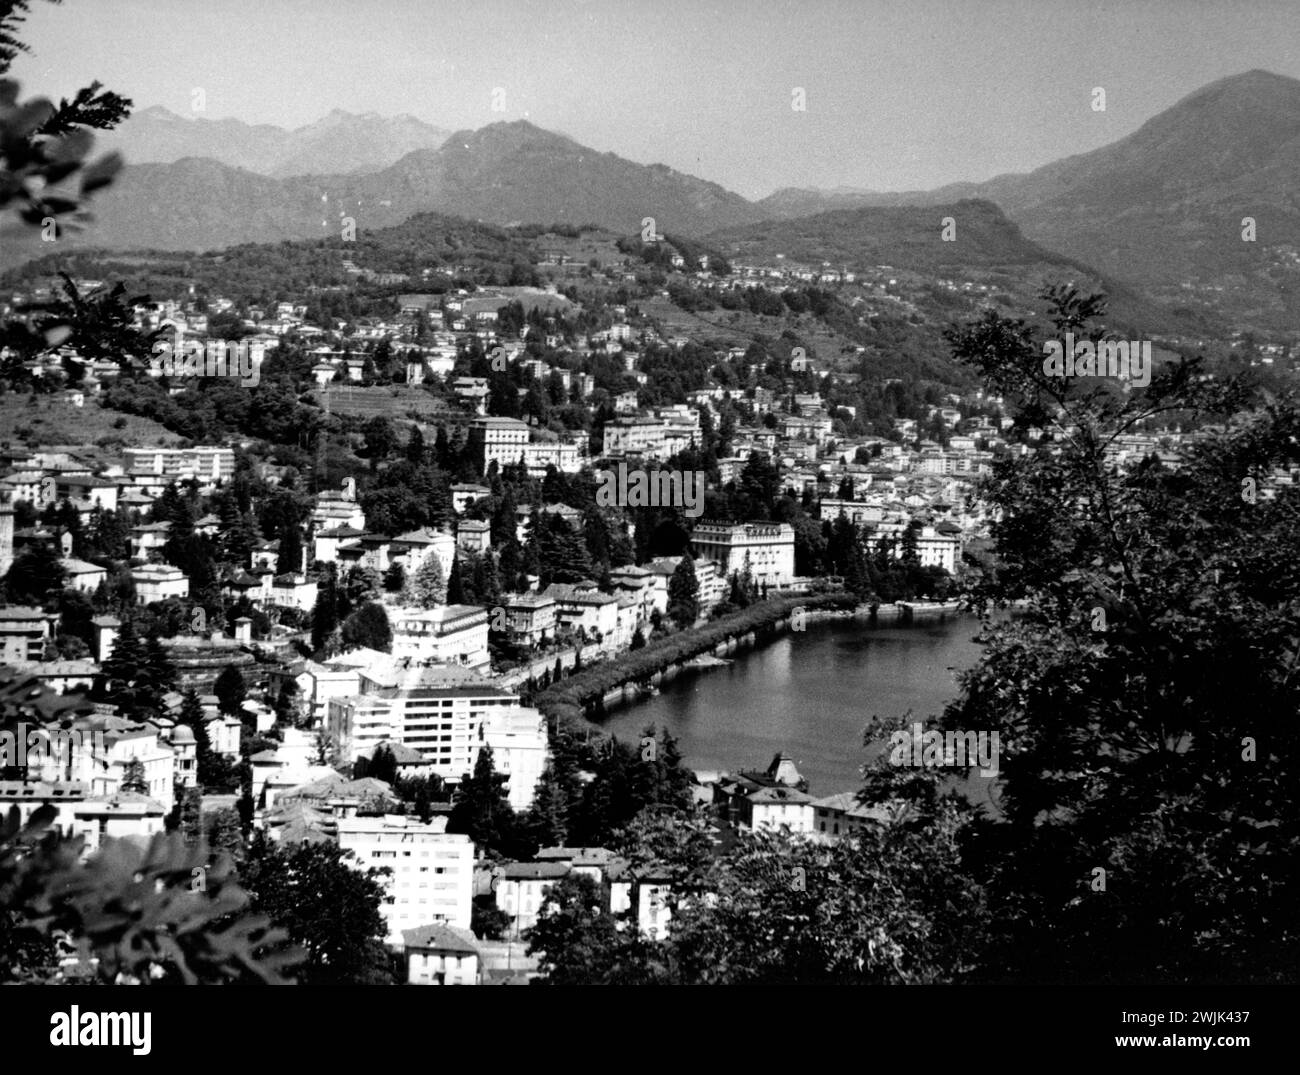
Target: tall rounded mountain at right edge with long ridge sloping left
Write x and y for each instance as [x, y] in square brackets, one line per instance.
[1162, 209]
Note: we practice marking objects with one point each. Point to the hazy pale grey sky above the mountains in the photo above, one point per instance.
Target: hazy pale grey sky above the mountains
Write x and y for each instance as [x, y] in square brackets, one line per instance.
[900, 96]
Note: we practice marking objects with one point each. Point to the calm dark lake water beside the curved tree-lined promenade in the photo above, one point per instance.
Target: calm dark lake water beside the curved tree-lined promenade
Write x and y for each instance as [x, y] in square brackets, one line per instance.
[811, 695]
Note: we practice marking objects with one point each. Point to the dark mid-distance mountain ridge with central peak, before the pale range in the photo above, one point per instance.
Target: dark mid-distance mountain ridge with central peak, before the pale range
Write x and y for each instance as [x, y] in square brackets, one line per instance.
[504, 174]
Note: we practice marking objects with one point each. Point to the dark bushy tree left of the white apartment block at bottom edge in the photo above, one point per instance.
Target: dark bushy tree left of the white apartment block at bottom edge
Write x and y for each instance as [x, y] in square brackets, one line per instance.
[328, 907]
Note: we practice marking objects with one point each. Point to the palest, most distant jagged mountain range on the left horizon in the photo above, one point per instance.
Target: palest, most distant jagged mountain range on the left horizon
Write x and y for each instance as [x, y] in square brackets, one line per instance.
[339, 144]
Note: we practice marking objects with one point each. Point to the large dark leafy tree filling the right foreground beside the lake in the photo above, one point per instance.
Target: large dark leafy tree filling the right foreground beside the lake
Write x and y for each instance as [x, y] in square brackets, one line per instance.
[1149, 690]
